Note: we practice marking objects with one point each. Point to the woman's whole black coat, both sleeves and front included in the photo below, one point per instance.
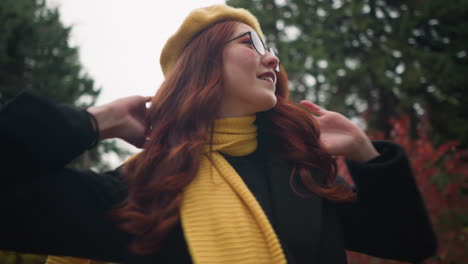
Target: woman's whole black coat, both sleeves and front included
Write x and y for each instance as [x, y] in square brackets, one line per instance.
[49, 209]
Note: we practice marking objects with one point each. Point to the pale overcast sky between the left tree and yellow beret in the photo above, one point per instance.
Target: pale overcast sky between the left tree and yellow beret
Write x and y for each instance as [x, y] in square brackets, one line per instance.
[120, 41]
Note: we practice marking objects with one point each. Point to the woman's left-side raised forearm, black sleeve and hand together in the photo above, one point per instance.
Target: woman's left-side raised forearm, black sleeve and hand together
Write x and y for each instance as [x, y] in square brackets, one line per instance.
[41, 136]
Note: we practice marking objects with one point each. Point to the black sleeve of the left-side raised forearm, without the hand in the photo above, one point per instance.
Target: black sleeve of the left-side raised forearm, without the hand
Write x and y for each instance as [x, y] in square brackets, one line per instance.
[40, 136]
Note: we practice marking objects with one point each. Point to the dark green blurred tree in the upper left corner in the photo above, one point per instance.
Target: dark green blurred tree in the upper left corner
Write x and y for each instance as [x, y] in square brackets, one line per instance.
[35, 55]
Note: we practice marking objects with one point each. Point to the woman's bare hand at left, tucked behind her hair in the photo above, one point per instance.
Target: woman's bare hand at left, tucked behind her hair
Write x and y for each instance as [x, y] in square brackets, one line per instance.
[123, 118]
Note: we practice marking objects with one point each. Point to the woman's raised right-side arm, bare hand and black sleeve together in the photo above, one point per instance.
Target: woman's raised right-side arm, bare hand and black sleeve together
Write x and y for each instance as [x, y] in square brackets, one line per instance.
[389, 218]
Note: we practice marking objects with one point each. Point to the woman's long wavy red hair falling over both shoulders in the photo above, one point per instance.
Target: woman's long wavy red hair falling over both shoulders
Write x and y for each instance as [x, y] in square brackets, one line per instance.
[182, 114]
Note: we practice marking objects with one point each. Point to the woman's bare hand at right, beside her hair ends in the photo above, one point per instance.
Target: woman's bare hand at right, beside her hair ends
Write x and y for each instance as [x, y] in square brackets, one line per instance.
[340, 137]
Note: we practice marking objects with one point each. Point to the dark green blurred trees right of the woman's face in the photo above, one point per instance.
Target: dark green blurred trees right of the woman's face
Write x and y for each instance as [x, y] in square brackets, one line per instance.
[375, 58]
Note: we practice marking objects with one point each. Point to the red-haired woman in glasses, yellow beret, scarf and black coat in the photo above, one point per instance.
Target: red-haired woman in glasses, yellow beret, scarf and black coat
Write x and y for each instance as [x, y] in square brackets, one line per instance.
[230, 172]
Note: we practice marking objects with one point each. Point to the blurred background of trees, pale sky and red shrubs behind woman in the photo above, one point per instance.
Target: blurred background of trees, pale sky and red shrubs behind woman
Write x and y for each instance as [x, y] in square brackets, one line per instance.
[397, 68]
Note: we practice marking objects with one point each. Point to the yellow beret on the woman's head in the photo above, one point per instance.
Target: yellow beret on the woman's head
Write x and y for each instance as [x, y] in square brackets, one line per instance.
[195, 22]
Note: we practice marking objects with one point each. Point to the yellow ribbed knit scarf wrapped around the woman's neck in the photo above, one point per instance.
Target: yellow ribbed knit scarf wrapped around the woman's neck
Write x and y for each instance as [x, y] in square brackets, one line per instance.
[221, 219]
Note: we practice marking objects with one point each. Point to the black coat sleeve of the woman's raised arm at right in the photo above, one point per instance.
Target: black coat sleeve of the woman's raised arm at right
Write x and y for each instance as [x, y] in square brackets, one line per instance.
[389, 218]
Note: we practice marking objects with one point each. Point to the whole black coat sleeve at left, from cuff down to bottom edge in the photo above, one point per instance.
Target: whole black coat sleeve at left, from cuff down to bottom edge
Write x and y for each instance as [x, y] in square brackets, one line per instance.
[47, 208]
